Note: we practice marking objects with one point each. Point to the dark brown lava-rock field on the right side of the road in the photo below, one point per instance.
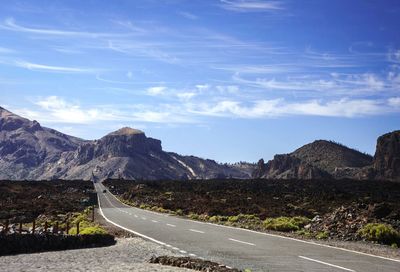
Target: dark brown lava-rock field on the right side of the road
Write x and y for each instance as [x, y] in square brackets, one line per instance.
[336, 208]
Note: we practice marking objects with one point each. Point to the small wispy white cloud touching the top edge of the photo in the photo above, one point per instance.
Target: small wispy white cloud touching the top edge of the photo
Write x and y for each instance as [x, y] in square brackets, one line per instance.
[251, 5]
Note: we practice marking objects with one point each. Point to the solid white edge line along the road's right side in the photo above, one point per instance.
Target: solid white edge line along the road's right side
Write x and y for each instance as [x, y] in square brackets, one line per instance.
[275, 235]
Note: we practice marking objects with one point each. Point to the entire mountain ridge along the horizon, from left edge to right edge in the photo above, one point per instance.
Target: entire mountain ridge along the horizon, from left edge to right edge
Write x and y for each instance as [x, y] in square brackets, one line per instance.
[30, 151]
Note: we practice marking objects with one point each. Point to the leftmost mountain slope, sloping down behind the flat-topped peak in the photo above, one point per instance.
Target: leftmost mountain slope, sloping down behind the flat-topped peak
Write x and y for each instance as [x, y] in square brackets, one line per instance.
[27, 149]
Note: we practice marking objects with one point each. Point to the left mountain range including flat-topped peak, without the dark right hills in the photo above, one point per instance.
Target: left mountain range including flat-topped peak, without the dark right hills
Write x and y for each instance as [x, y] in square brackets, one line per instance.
[30, 151]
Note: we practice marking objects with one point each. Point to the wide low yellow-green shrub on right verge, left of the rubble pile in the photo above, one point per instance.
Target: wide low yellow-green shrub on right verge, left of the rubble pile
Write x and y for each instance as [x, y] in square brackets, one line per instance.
[286, 224]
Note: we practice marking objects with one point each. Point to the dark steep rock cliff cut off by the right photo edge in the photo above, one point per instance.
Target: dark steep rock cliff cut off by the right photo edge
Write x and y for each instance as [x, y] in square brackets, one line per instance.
[387, 156]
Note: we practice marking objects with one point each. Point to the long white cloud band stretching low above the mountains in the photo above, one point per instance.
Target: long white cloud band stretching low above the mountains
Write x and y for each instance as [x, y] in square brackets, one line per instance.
[54, 109]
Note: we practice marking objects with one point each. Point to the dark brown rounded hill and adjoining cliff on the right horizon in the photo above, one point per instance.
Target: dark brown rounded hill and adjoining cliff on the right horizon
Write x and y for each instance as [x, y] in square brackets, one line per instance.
[327, 160]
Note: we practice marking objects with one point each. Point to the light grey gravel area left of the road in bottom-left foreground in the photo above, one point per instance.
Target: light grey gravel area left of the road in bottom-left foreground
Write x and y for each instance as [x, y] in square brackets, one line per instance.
[130, 254]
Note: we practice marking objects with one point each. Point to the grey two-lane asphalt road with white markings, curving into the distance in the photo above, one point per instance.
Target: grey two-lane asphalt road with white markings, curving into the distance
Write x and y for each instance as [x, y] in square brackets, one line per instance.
[237, 247]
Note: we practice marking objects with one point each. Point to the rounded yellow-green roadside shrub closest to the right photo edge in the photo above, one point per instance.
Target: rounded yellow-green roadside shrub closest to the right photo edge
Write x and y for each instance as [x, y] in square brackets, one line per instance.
[381, 233]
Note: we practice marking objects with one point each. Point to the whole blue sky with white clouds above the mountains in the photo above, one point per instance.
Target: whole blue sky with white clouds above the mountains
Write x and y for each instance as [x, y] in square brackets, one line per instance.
[231, 80]
